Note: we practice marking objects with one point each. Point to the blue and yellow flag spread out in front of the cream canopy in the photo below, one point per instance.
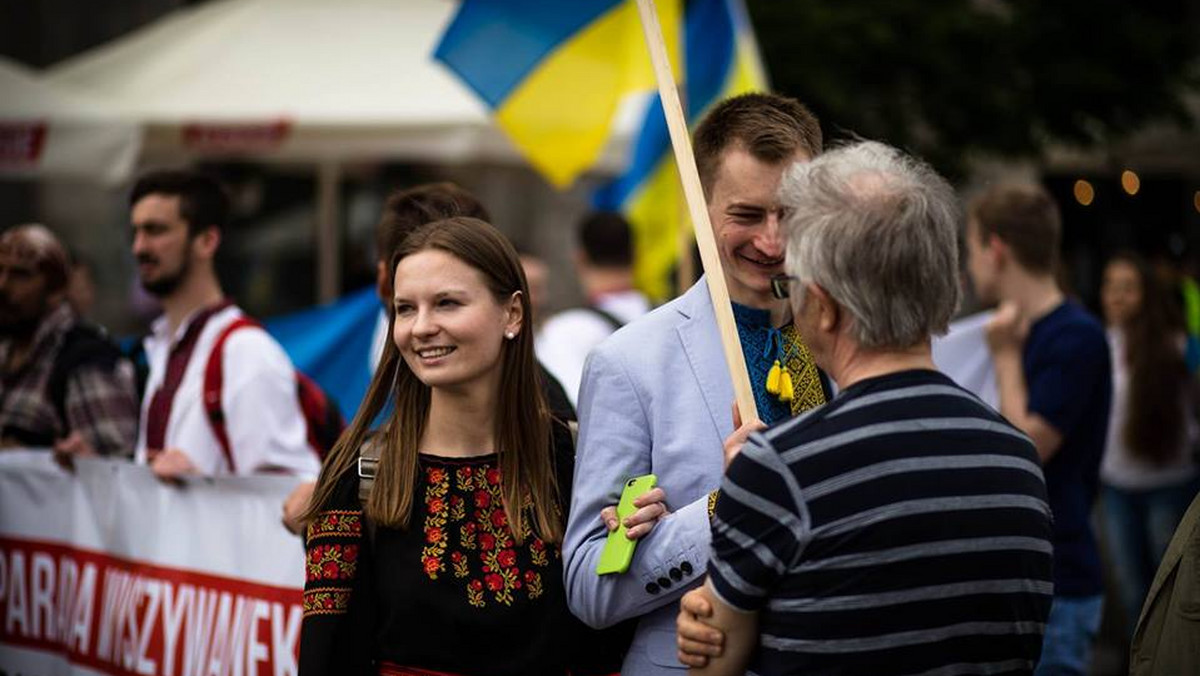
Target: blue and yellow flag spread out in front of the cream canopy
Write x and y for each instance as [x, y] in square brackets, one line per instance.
[554, 73]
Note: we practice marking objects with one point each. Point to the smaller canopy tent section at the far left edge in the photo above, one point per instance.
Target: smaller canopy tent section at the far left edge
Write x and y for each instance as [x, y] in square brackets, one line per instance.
[46, 131]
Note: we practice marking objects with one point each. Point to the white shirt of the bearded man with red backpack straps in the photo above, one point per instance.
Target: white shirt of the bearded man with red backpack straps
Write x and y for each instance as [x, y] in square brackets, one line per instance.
[259, 399]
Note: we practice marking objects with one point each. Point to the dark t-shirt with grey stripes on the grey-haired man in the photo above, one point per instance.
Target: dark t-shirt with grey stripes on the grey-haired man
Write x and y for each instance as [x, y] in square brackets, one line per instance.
[902, 529]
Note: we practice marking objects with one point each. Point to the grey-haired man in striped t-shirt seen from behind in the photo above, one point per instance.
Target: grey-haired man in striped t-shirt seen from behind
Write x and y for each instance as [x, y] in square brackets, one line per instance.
[903, 528]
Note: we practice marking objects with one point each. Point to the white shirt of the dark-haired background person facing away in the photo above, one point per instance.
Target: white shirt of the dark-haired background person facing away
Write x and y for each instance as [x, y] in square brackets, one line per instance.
[565, 342]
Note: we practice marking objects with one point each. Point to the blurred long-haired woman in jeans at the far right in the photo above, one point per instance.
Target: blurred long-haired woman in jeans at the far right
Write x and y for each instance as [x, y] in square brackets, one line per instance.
[1149, 475]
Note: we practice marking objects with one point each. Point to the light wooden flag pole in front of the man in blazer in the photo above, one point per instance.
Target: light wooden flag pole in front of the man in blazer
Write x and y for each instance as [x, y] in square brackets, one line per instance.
[695, 195]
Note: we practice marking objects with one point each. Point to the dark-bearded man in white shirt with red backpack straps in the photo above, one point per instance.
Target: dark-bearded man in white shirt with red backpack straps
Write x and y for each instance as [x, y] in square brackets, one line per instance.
[253, 421]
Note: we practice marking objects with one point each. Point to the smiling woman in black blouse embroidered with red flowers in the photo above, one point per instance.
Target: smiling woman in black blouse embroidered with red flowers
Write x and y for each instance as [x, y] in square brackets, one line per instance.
[452, 564]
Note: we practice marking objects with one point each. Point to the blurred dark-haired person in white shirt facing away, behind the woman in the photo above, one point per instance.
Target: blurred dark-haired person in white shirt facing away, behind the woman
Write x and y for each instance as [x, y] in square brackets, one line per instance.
[604, 261]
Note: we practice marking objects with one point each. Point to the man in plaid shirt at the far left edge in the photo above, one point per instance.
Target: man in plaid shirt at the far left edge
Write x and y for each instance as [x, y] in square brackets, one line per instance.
[63, 384]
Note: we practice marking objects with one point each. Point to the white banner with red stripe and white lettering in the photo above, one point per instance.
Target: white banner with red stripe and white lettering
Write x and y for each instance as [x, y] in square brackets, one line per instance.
[105, 570]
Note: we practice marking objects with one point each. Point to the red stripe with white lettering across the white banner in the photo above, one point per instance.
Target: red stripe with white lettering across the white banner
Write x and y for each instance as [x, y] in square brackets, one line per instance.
[129, 618]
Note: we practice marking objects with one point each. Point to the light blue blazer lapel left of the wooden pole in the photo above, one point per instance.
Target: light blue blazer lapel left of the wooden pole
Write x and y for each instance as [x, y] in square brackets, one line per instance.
[703, 345]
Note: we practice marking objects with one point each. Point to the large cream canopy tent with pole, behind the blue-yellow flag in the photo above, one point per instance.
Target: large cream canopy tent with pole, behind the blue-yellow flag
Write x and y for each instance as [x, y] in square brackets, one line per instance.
[302, 81]
